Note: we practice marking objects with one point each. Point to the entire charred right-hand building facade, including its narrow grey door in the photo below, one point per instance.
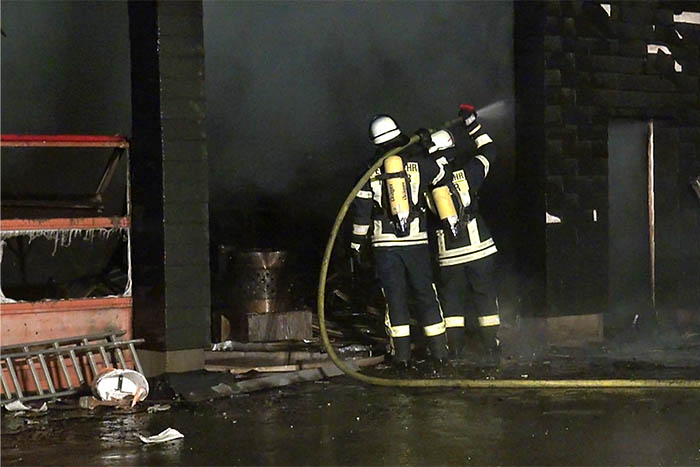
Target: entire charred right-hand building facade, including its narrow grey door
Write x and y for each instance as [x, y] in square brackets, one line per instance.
[608, 142]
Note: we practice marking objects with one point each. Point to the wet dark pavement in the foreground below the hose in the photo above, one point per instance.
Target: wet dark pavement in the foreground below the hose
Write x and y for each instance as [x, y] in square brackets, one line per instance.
[345, 422]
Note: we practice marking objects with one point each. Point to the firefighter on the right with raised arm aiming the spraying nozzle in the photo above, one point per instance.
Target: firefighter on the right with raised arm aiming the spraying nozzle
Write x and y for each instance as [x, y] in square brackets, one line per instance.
[467, 262]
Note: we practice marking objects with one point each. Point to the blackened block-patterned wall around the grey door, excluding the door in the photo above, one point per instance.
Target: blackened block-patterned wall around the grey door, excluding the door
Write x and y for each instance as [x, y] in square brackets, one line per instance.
[593, 67]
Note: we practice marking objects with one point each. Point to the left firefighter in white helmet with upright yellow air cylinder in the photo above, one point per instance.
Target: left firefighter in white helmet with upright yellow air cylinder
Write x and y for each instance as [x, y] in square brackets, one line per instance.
[400, 242]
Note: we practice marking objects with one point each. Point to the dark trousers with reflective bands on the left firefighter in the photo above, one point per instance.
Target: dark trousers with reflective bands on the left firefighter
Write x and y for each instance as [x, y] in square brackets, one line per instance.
[403, 272]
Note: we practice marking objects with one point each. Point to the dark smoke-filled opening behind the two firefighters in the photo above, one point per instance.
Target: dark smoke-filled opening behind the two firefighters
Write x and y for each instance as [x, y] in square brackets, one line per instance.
[291, 89]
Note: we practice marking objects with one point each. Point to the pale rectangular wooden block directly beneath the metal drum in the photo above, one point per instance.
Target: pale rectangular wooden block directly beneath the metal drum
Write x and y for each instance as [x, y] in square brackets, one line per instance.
[291, 325]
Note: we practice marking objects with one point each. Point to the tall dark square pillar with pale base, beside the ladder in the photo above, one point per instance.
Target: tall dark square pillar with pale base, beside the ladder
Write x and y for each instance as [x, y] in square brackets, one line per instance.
[169, 185]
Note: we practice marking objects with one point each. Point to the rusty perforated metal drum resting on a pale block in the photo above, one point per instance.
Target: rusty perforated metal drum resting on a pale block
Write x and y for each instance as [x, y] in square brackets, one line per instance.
[260, 281]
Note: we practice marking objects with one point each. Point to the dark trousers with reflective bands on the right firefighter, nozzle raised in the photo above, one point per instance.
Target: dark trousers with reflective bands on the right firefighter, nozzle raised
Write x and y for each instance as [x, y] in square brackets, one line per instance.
[469, 299]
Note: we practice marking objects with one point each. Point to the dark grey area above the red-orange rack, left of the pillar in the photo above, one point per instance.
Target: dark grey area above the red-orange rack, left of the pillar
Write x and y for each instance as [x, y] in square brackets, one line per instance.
[65, 67]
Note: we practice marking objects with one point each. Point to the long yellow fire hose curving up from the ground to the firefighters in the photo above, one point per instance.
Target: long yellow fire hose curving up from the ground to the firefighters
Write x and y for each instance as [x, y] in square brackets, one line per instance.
[451, 382]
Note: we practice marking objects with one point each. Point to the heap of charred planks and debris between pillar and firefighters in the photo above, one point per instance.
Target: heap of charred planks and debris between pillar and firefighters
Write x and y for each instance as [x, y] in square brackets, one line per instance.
[355, 328]
